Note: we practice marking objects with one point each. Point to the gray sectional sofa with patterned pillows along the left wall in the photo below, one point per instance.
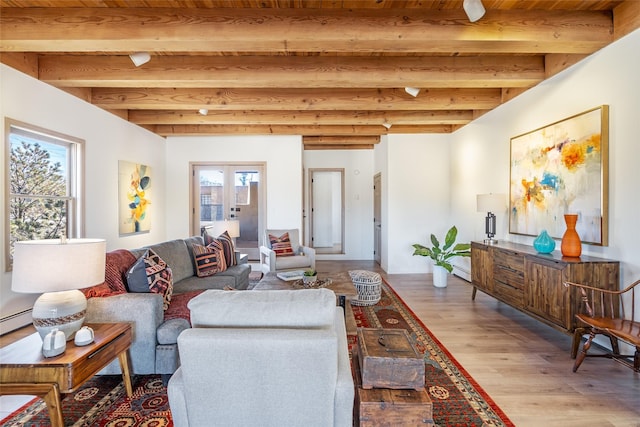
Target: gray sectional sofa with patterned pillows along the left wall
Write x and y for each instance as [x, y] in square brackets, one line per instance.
[154, 349]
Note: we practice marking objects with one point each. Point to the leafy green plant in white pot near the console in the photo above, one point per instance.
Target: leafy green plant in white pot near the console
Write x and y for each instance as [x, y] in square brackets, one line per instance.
[442, 255]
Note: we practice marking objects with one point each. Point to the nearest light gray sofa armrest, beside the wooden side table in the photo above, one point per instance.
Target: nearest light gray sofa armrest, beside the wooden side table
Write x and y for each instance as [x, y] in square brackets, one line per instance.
[144, 312]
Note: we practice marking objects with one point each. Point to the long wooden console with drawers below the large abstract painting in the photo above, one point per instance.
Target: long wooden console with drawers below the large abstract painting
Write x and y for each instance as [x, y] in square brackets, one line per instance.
[534, 283]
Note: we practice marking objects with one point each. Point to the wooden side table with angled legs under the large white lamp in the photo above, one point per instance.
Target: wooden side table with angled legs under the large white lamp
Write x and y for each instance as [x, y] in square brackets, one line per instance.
[24, 370]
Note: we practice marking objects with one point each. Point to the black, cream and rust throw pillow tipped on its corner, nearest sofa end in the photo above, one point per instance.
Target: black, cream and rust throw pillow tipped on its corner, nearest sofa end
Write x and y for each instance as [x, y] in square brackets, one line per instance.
[150, 273]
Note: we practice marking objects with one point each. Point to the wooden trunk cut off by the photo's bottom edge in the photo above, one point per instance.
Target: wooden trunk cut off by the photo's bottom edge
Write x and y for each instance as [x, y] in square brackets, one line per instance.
[390, 407]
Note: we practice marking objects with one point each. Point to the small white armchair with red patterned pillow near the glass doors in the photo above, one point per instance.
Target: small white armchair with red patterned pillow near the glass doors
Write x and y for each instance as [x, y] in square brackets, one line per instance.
[301, 257]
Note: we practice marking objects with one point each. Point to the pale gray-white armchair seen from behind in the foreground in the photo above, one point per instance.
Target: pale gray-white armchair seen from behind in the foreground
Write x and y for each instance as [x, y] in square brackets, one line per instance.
[263, 358]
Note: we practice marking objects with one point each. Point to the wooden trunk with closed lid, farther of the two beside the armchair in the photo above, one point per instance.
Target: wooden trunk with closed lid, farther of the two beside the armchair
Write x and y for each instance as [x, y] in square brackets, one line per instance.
[388, 359]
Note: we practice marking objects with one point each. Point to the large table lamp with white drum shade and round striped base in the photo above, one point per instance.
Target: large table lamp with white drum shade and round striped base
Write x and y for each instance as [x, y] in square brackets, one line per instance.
[58, 268]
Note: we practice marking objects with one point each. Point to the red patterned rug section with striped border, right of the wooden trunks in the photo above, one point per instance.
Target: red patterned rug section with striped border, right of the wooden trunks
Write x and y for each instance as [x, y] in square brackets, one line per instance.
[457, 399]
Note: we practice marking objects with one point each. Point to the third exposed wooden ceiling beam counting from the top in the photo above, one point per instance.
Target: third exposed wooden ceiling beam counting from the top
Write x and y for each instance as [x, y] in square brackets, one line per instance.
[294, 99]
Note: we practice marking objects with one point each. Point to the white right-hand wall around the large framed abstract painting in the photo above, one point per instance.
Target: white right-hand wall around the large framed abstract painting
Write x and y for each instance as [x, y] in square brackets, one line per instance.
[480, 156]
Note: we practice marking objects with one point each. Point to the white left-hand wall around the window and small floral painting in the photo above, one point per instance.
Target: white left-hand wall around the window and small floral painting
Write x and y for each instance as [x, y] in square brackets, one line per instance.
[107, 140]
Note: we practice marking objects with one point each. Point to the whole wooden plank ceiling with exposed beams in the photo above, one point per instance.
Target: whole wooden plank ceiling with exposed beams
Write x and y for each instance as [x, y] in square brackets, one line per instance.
[333, 71]
